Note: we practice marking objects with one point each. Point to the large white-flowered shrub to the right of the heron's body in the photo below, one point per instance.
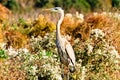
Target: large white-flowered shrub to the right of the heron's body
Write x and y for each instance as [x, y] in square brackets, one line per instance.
[97, 57]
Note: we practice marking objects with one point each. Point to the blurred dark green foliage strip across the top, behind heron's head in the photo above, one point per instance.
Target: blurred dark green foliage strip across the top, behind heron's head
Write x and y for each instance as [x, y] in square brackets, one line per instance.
[68, 5]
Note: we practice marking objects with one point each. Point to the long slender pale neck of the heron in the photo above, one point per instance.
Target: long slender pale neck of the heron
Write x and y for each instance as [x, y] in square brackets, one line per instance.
[59, 24]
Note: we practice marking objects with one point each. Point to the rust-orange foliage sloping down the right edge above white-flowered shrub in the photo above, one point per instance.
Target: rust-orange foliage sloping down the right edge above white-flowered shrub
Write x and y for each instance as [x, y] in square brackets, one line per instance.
[109, 25]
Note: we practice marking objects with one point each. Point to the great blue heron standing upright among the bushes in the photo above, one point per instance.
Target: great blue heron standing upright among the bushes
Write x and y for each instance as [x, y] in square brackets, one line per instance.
[65, 49]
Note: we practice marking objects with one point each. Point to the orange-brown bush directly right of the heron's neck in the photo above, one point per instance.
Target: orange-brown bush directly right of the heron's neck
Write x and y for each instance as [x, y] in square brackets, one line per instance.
[75, 27]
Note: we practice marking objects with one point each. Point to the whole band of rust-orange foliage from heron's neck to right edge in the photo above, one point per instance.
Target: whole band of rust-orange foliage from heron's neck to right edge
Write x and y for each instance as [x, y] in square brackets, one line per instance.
[110, 27]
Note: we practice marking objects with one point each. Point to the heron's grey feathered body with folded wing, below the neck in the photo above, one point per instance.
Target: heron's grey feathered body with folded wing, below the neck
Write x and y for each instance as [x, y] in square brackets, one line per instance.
[64, 50]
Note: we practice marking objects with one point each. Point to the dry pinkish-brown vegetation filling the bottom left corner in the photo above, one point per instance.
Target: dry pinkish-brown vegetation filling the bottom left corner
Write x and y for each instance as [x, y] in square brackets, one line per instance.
[11, 70]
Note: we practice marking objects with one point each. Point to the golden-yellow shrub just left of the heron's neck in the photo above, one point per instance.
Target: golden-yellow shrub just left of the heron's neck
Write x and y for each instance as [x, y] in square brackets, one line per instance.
[41, 26]
